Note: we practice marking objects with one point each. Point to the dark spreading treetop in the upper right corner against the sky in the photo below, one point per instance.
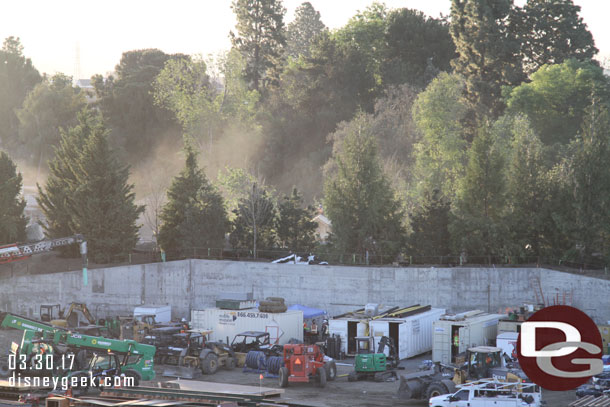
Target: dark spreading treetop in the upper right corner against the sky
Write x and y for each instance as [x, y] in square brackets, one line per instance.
[551, 32]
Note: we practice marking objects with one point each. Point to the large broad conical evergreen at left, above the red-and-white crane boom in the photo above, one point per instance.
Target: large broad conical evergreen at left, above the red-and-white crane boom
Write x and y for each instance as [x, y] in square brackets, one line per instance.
[87, 192]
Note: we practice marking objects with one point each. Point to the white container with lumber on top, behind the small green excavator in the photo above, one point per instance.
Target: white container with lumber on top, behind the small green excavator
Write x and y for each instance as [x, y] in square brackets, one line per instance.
[412, 335]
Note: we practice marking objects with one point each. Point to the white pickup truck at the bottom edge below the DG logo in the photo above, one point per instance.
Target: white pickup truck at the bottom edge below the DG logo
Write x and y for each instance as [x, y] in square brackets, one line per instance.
[491, 393]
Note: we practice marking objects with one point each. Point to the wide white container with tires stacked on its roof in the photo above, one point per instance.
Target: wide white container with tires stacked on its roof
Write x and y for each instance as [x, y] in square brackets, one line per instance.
[227, 323]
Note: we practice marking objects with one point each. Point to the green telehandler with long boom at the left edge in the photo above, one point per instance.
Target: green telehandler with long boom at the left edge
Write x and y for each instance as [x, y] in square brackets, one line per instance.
[39, 337]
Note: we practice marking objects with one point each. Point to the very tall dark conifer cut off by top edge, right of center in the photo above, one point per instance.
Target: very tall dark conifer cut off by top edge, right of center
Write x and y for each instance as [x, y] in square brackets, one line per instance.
[488, 54]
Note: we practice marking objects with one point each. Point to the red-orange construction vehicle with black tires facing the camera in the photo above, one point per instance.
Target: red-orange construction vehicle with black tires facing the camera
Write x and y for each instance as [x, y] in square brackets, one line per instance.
[304, 363]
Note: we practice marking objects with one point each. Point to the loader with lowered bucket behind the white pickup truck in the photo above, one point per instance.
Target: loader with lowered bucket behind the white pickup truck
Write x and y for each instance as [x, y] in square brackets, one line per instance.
[434, 379]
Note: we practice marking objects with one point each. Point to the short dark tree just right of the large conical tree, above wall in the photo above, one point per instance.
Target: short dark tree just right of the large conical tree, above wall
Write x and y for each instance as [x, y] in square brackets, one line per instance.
[430, 226]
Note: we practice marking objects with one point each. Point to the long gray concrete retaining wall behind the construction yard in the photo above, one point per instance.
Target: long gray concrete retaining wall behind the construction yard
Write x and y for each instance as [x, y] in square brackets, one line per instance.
[196, 284]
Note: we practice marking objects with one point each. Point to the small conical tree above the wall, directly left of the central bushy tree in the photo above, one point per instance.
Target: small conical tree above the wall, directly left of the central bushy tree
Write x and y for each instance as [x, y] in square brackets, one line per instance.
[254, 220]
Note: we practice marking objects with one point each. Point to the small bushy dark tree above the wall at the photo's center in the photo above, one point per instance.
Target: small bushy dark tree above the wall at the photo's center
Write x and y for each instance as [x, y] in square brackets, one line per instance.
[295, 228]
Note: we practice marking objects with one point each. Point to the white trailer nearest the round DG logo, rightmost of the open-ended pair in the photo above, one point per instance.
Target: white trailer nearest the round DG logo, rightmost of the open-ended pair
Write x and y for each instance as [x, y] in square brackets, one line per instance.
[473, 328]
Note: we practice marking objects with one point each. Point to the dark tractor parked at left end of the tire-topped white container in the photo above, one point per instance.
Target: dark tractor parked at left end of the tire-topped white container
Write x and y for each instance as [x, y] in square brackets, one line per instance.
[191, 353]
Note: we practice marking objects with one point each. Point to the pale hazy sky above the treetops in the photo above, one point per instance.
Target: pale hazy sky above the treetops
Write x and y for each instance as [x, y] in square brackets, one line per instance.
[50, 30]
